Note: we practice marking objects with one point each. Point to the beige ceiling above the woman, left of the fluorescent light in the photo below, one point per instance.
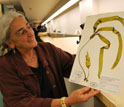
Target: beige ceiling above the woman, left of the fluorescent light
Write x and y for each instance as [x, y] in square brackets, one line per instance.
[36, 10]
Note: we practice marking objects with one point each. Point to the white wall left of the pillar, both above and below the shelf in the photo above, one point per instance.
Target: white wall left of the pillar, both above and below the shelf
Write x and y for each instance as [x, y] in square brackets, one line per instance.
[67, 23]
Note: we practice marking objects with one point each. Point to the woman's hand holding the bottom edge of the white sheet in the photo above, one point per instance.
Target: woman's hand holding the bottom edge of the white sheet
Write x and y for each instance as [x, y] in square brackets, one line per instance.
[81, 95]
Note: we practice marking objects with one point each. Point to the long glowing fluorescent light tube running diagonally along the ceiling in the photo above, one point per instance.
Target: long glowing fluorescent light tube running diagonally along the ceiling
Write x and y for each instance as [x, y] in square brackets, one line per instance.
[66, 6]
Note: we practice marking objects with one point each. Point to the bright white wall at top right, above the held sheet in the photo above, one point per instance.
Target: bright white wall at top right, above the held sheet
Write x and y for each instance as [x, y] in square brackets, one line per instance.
[92, 7]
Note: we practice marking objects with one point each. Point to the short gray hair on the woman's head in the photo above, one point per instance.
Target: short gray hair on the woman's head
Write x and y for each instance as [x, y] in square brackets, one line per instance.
[5, 22]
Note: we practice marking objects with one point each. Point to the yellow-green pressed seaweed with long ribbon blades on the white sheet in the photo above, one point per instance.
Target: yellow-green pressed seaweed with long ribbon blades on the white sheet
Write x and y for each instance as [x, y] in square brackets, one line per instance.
[96, 32]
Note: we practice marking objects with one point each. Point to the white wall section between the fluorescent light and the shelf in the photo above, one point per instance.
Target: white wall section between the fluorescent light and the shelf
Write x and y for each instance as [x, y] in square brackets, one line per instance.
[68, 22]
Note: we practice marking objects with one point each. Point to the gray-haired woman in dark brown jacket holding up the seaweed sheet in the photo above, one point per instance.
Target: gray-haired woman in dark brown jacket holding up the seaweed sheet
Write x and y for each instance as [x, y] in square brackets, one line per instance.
[31, 73]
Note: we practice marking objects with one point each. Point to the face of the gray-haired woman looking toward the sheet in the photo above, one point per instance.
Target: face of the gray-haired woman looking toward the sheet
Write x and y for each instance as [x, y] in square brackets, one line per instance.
[21, 34]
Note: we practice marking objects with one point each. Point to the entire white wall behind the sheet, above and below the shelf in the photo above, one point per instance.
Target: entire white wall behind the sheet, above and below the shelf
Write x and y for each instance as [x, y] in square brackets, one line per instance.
[70, 21]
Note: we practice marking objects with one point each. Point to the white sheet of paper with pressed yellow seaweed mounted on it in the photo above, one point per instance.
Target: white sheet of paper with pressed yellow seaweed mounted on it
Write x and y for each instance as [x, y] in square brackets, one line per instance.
[104, 51]
